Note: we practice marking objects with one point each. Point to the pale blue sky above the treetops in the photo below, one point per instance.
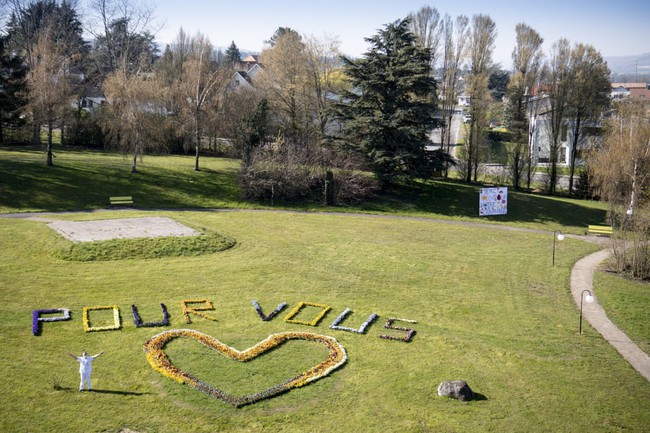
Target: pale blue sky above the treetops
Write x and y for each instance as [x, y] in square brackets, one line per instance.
[615, 27]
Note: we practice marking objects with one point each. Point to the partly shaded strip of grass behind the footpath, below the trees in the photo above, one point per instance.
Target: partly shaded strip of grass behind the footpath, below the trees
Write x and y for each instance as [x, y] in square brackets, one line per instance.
[85, 179]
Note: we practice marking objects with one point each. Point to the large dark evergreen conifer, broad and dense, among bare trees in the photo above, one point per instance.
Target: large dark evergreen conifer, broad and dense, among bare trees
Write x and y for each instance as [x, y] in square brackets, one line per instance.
[389, 111]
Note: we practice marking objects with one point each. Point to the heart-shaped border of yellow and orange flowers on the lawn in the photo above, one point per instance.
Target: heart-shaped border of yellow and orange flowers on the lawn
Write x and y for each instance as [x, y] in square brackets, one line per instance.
[154, 349]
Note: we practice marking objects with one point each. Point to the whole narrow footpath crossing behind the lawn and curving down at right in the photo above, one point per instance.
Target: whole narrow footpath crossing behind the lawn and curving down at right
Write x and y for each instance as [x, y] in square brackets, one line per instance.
[581, 275]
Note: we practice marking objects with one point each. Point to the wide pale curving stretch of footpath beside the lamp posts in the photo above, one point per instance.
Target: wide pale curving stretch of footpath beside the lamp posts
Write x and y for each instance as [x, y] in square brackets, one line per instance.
[582, 277]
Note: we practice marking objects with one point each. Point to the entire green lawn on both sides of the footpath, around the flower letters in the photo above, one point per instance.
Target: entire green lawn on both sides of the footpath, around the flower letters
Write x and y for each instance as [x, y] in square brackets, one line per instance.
[488, 307]
